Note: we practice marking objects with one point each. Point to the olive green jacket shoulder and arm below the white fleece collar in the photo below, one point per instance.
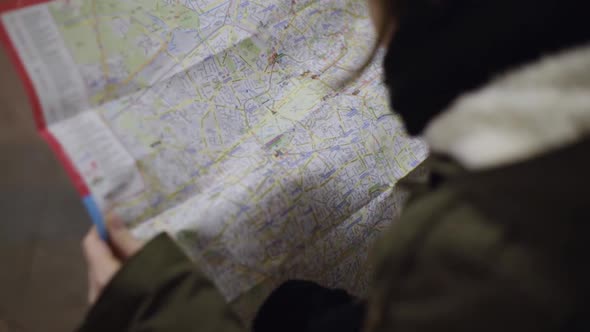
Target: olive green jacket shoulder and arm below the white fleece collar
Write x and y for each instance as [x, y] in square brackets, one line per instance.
[498, 250]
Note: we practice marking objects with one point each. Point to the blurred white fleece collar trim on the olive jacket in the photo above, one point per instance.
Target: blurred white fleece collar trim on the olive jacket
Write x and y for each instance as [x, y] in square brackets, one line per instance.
[522, 114]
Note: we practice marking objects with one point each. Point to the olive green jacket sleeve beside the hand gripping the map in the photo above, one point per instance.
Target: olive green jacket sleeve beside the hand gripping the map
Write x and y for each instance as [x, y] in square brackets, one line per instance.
[160, 289]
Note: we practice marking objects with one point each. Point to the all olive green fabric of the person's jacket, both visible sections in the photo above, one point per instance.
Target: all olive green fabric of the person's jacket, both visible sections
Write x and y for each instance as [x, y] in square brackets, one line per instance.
[497, 250]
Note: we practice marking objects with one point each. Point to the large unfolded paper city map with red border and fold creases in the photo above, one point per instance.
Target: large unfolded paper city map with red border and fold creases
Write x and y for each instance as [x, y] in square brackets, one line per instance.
[223, 123]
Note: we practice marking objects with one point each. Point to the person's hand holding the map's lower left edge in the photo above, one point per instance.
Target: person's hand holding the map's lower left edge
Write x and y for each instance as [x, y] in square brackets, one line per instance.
[105, 259]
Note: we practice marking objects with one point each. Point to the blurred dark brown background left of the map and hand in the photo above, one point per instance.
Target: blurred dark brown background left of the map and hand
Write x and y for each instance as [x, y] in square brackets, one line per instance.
[42, 273]
